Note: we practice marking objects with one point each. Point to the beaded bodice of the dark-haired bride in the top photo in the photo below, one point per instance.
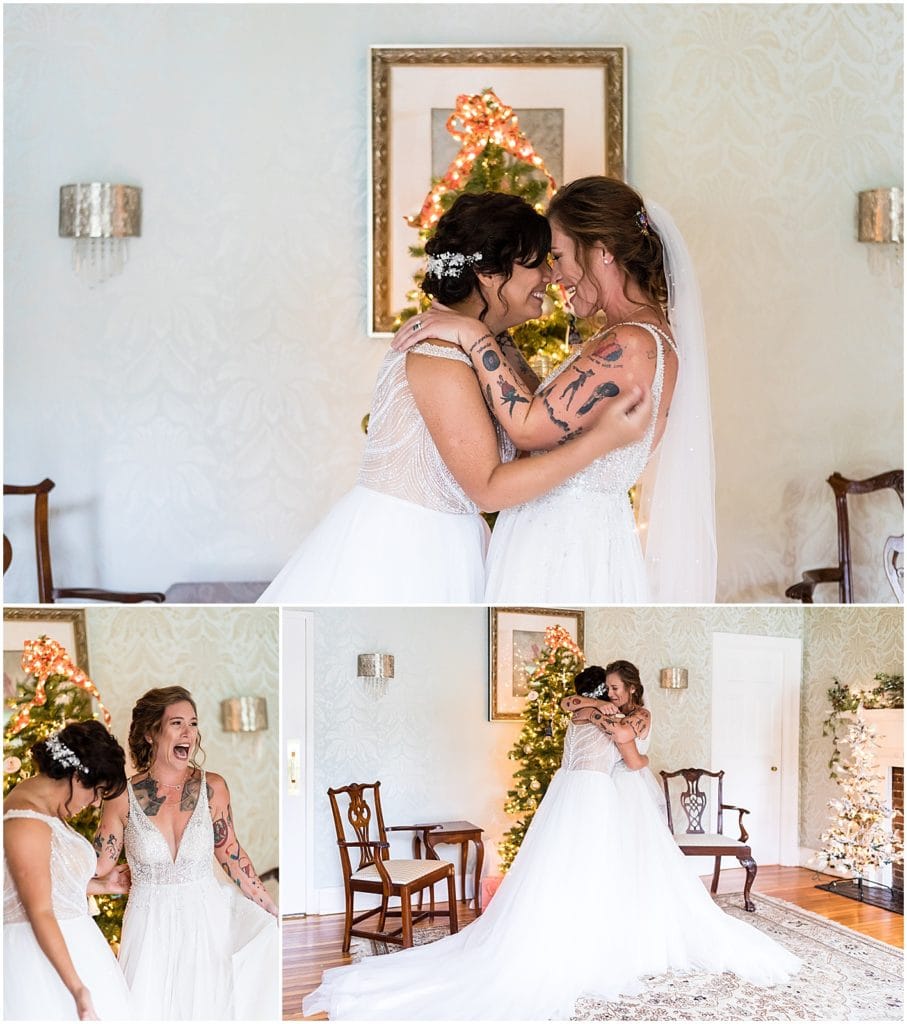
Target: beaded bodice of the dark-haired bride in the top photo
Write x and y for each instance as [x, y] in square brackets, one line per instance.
[401, 457]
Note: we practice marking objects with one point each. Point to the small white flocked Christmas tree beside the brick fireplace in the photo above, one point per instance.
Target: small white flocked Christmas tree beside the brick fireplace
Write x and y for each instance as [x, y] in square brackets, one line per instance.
[860, 837]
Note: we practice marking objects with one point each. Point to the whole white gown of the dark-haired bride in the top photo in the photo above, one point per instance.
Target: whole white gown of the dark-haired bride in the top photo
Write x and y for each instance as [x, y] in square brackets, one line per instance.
[407, 533]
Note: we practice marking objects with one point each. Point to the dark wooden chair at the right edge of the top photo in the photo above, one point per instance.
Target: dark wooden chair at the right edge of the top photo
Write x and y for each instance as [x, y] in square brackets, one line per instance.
[893, 550]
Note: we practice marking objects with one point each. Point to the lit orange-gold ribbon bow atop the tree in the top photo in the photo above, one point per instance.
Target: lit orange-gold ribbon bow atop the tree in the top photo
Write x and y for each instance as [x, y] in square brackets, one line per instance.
[477, 121]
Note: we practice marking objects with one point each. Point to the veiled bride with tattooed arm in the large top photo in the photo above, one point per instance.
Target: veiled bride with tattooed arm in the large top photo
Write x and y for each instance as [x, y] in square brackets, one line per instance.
[627, 260]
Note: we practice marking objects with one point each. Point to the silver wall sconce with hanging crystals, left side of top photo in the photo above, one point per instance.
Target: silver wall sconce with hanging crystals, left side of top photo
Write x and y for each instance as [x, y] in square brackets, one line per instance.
[101, 218]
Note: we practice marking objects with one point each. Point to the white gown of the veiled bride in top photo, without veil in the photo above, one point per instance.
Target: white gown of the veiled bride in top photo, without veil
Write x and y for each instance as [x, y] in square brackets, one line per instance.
[578, 544]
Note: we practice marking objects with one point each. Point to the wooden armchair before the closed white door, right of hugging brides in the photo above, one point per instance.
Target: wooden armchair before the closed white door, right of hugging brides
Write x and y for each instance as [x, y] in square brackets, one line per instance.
[695, 841]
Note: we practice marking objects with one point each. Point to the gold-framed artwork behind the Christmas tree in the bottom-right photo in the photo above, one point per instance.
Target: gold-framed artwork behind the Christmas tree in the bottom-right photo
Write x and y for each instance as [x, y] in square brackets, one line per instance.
[516, 638]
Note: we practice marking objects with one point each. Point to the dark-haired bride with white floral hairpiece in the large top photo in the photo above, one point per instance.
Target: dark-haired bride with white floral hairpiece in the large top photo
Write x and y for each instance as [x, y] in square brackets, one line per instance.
[411, 530]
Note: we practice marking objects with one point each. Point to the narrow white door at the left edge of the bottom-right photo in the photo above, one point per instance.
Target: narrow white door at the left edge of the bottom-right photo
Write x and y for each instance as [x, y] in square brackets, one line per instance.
[297, 761]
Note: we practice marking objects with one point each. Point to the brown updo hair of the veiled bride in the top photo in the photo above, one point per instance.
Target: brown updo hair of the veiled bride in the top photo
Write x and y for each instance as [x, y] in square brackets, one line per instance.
[606, 211]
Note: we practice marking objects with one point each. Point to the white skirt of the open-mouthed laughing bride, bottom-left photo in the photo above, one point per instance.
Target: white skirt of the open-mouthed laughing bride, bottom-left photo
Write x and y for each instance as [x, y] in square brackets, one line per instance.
[199, 952]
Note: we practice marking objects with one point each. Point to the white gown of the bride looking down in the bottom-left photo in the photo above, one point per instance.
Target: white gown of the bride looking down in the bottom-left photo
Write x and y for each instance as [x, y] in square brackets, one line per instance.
[32, 989]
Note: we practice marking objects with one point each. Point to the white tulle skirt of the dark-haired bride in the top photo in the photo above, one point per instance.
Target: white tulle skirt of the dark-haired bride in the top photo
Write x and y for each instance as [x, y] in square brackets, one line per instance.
[376, 549]
